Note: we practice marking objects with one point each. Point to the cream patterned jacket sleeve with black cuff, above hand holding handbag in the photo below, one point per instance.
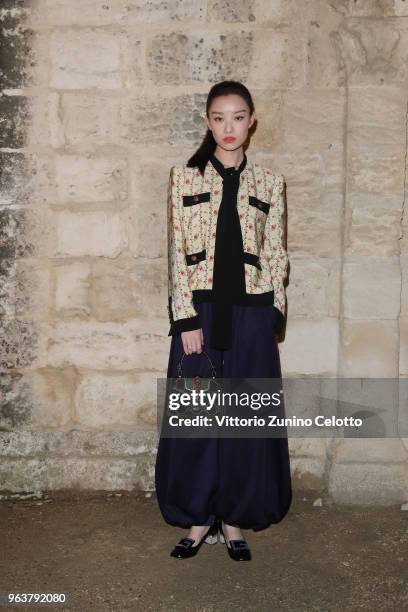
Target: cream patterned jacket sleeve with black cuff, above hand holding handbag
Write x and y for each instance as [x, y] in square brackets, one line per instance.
[182, 314]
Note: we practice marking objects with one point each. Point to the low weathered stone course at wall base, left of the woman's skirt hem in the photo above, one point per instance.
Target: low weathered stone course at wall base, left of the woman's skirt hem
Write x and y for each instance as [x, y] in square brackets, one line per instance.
[77, 459]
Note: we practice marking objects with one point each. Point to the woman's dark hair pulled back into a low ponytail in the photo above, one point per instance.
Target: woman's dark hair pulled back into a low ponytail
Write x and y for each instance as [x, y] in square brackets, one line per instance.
[208, 145]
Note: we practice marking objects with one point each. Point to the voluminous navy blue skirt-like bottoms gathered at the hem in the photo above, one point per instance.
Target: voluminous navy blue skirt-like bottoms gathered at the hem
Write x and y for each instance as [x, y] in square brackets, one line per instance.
[244, 481]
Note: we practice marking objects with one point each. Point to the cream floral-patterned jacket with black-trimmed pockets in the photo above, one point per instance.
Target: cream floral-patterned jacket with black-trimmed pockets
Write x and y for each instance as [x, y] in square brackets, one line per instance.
[192, 210]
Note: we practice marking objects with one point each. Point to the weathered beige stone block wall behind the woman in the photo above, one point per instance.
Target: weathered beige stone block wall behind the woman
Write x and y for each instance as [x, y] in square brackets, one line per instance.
[98, 100]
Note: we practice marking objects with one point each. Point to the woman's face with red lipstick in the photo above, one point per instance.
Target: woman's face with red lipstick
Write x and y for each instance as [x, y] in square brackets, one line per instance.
[229, 120]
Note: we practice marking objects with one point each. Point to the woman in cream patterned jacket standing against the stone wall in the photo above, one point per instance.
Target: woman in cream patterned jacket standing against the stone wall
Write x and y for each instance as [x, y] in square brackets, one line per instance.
[227, 264]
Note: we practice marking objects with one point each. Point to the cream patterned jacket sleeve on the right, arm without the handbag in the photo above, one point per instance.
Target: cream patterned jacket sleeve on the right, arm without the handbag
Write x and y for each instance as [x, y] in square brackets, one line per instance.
[274, 249]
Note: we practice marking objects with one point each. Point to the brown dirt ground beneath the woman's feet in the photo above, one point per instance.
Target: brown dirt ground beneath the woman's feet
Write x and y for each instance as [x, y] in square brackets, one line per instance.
[111, 552]
